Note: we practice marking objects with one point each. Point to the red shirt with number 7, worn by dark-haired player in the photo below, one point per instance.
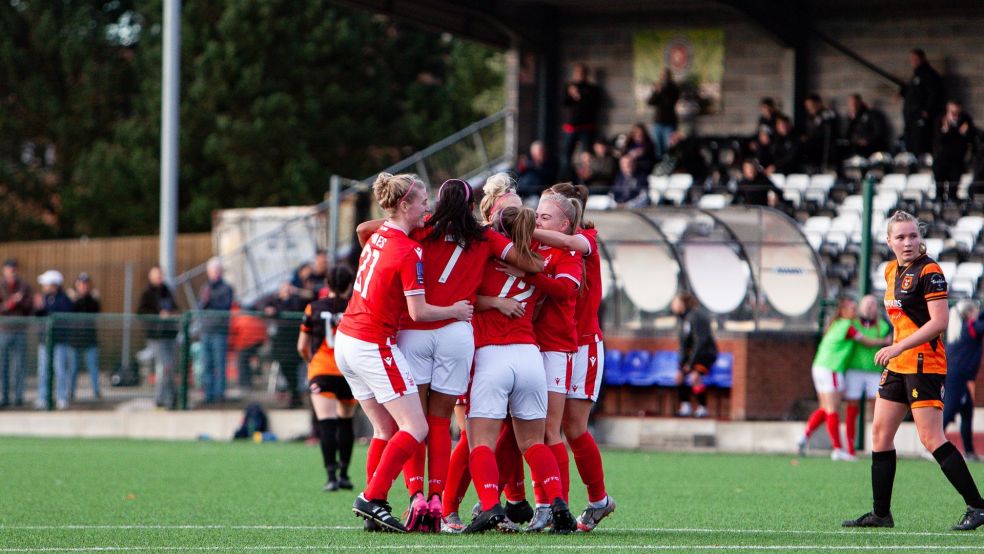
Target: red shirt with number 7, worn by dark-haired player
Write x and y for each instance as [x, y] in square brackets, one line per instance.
[453, 273]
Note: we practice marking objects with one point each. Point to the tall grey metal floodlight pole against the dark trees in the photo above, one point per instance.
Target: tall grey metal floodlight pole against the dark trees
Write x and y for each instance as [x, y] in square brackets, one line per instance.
[170, 94]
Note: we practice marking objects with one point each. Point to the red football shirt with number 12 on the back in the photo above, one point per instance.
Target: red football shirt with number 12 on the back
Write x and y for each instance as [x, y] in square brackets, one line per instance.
[491, 326]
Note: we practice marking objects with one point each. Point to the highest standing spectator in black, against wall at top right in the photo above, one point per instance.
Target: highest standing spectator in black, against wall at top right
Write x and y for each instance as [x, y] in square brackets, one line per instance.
[922, 105]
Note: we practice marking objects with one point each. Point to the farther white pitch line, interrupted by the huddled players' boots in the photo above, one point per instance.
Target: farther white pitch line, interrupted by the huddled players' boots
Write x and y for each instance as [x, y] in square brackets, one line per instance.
[855, 532]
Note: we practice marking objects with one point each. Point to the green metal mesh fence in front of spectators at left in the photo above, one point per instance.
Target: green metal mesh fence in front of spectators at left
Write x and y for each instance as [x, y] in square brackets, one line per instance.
[195, 359]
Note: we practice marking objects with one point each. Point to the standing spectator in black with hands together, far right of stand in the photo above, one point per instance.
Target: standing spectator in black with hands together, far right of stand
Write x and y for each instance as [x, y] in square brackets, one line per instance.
[955, 136]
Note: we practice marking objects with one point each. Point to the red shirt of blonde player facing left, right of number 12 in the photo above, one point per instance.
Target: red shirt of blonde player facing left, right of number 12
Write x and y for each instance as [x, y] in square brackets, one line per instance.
[556, 328]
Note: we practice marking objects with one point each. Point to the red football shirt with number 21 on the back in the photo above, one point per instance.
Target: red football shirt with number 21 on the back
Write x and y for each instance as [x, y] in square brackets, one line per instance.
[391, 268]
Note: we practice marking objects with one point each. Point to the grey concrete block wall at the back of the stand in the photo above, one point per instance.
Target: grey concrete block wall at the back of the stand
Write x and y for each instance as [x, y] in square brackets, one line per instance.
[757, 64]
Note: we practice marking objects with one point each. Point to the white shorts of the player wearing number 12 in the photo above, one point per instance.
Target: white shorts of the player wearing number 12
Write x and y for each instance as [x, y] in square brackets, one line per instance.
[508, 380]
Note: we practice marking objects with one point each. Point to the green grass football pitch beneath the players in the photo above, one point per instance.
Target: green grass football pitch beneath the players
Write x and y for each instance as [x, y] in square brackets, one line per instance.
[144, 496]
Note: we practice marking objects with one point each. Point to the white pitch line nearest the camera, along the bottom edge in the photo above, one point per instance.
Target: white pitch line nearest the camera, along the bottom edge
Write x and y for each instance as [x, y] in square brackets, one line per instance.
[538, 547]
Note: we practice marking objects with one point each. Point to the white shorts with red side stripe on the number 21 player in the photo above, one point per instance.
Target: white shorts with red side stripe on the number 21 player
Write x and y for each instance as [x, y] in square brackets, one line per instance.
[373, 370]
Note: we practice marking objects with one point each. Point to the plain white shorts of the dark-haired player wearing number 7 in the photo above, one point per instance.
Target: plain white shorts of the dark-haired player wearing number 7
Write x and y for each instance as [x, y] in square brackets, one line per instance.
[441, 357]
